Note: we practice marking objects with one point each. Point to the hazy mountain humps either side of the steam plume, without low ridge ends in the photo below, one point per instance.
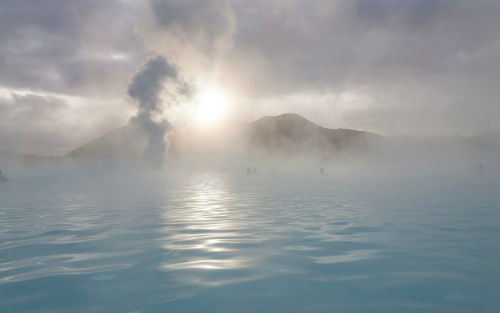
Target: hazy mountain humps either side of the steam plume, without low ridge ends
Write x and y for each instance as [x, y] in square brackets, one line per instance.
[286, 134]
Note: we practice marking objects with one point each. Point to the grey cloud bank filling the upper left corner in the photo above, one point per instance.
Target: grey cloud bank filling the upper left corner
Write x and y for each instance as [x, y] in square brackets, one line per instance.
[67, 46]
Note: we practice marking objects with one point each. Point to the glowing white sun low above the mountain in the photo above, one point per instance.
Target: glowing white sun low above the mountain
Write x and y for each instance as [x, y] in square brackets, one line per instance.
[211, 106]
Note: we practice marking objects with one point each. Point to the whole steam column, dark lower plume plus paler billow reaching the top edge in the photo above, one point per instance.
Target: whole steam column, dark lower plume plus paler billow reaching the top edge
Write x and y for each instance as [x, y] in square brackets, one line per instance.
[196, 35]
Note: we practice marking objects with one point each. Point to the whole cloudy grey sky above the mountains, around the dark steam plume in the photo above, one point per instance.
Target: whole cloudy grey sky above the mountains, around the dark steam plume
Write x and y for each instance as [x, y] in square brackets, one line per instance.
[394, 67]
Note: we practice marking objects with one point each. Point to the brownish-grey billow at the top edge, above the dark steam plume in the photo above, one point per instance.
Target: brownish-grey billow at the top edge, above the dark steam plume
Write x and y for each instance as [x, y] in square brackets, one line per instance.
[195, 33]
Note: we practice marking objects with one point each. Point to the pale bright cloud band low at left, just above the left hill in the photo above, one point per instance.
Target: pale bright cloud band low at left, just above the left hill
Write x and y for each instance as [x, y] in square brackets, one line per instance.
[49, 124]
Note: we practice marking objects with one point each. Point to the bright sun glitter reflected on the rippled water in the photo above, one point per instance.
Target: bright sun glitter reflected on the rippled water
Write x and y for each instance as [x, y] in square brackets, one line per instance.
[203, 221]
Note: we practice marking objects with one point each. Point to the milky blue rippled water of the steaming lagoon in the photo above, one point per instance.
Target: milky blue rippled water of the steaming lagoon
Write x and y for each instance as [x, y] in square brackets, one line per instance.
[222, 241]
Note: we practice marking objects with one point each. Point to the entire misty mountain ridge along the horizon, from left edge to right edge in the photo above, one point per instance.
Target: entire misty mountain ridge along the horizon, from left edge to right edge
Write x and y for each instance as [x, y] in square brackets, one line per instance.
[283, 135]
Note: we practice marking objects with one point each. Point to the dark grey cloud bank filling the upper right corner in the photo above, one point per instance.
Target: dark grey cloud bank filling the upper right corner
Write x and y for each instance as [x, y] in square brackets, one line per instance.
[325, 45]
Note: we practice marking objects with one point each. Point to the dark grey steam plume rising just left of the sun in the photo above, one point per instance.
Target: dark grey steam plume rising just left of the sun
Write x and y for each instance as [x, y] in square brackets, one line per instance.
[157, 77]
